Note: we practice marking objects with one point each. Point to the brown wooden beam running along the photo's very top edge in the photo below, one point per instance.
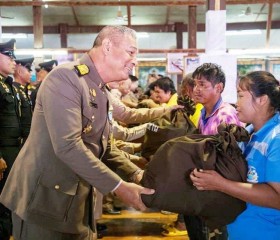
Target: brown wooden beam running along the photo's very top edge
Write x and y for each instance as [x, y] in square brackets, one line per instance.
[126, 3]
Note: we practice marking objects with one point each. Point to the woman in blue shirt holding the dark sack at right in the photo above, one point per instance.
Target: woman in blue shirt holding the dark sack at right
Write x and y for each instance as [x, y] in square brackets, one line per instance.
[258, 104]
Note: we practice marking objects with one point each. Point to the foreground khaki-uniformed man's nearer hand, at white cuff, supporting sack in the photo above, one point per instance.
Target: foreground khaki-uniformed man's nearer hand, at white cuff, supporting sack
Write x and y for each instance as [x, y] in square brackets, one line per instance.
[130, 194]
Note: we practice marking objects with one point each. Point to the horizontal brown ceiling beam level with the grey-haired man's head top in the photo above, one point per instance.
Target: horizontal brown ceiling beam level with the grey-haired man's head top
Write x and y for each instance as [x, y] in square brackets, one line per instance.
[140, 28]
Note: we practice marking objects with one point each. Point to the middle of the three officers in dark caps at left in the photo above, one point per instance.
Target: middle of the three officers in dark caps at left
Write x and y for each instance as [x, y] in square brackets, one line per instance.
[22, 78]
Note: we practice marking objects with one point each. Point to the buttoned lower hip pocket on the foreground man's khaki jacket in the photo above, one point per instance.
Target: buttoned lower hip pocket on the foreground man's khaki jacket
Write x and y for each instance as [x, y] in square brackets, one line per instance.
[53, 196]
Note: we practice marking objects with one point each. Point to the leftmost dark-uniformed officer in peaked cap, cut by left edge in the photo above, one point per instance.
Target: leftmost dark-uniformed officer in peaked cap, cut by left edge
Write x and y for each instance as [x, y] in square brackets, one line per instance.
[10, 131]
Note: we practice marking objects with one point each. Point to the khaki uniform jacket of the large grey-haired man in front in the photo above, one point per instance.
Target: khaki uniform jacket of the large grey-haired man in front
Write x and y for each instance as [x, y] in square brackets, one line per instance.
[50, 184]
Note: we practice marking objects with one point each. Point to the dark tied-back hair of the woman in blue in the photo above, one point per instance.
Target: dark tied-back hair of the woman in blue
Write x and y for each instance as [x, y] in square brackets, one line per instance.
[261, 83]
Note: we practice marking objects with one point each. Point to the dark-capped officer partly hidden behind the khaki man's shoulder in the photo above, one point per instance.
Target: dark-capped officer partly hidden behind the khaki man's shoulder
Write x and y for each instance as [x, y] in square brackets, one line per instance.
[41, 72]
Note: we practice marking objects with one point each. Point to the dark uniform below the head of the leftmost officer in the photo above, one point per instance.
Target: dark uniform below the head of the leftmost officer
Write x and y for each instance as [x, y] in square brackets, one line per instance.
[10, 141]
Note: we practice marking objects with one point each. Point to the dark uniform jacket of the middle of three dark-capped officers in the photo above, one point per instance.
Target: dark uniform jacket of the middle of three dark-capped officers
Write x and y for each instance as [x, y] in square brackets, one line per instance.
[26, 109]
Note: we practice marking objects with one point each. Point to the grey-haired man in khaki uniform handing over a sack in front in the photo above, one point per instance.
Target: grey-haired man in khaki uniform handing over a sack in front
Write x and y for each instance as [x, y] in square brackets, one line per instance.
[49, 189]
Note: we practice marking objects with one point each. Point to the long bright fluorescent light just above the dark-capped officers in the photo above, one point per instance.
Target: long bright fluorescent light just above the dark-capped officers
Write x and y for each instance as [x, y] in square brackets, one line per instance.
[41, 52]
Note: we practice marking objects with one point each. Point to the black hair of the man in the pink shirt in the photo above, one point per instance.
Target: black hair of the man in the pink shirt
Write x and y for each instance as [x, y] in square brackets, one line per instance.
[211, 72]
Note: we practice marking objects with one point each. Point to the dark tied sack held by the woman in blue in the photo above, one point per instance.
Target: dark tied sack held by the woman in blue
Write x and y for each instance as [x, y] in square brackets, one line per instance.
[168, 173]
